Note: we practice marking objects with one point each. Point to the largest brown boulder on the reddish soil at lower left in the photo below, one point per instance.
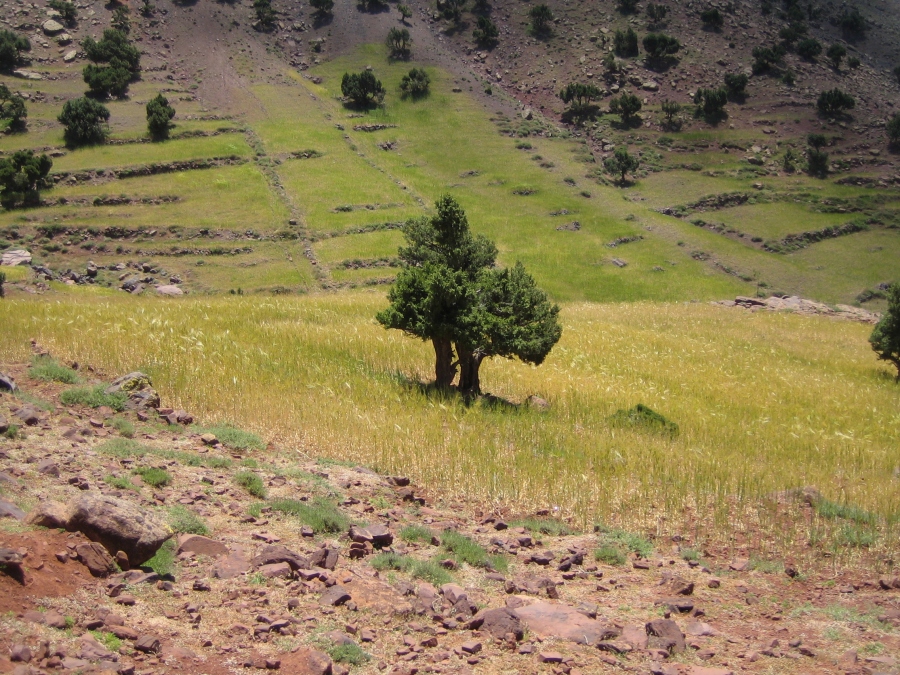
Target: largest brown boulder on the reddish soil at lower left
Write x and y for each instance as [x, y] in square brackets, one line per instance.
[118, 525]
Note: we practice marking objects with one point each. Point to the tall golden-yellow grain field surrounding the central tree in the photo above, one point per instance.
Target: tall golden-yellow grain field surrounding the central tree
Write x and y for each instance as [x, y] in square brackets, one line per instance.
[765, 402]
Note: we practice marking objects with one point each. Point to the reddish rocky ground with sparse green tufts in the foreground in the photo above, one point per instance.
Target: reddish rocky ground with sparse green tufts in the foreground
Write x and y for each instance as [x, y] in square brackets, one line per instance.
[137, 542]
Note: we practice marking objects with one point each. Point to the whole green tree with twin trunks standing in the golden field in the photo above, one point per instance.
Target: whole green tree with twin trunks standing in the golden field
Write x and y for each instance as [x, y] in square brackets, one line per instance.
[450, 292]
